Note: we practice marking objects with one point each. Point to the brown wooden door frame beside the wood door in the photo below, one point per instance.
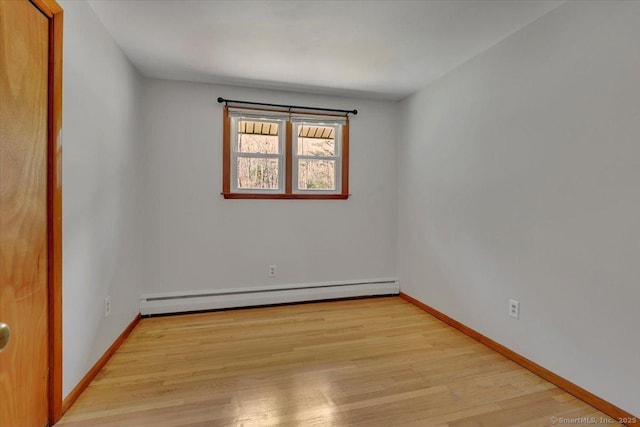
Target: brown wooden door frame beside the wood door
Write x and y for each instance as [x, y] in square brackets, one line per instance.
[54, 13]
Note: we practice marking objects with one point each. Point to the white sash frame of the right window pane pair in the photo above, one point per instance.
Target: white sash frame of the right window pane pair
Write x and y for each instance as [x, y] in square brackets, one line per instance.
[337, 157]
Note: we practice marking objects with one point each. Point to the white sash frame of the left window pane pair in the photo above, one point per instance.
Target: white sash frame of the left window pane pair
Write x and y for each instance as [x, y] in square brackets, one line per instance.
[235, 154]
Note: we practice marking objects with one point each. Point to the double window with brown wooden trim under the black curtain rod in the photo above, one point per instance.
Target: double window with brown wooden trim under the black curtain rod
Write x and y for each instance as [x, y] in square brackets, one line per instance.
[283, 155]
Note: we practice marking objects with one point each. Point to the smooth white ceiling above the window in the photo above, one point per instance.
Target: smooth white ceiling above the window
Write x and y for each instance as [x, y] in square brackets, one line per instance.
[378, 49]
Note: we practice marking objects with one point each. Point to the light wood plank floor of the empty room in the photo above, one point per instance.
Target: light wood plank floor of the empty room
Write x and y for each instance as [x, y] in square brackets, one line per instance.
[369, 362]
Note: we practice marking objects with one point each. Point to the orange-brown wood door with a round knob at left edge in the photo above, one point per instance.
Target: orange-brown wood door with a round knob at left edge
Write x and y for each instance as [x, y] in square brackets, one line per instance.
[24, 105]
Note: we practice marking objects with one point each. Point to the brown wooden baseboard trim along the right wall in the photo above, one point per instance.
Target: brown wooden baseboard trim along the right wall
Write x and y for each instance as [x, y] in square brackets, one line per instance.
[577, 391]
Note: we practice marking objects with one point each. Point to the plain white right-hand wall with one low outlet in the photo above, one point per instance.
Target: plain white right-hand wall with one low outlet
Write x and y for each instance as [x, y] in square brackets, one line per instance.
[520, 178]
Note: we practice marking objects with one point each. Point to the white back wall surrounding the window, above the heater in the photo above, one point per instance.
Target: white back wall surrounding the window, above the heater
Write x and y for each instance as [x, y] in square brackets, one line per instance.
[196, 240]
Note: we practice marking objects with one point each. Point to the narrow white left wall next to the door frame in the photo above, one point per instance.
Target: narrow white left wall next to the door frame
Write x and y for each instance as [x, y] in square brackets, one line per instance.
[101, 237]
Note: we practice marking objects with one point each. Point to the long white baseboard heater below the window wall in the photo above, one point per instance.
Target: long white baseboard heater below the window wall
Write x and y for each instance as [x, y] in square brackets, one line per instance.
[179, 302]
